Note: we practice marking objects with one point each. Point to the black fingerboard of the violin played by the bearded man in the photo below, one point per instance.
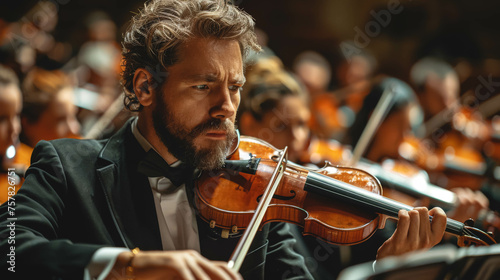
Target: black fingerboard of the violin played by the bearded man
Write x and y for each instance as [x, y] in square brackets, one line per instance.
[335, 189]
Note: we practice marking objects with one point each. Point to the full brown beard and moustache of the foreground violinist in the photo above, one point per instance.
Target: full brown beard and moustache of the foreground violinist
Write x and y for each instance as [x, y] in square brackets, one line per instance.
[180, 141]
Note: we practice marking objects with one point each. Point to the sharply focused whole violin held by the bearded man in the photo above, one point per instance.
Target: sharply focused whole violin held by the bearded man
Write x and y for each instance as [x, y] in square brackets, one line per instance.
[339, 205]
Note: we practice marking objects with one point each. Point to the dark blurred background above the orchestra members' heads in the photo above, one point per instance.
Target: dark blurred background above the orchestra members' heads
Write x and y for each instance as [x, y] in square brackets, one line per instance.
[456, 30]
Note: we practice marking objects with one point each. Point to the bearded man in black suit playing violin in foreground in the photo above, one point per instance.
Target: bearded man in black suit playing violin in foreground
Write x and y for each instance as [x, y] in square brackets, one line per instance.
[82, 200]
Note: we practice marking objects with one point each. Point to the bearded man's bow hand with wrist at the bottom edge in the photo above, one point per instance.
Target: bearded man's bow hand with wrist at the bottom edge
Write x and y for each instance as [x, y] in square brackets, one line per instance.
[164, 265]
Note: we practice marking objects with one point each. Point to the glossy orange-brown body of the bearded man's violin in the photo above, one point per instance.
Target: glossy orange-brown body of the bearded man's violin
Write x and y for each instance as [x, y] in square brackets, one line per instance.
[229, 198]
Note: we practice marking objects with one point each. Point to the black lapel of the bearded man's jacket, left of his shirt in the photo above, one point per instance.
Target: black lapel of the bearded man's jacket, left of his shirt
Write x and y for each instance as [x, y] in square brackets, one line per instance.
[128, 193]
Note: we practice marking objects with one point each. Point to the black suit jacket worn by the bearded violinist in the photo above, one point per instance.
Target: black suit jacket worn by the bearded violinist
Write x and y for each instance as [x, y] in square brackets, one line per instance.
[81, 195]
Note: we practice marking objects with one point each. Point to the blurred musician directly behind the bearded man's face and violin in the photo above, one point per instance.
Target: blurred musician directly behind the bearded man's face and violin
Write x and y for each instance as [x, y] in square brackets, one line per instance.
[275, 108]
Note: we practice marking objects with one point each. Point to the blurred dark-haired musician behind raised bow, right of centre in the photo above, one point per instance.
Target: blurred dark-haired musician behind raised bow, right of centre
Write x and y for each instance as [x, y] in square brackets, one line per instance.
[403, 114]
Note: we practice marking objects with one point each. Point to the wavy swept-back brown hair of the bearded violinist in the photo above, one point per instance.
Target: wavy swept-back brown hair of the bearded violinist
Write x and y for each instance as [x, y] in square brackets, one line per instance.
[156, 32]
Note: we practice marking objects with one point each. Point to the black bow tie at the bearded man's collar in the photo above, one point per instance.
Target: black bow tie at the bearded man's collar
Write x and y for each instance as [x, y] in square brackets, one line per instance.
[153, 165]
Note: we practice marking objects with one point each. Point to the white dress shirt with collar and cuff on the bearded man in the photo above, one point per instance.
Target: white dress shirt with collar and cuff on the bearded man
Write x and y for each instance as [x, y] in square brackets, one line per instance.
[176, 220]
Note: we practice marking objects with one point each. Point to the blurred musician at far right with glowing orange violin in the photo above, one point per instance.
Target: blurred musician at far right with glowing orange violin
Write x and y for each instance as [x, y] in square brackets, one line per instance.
[452, 132]
